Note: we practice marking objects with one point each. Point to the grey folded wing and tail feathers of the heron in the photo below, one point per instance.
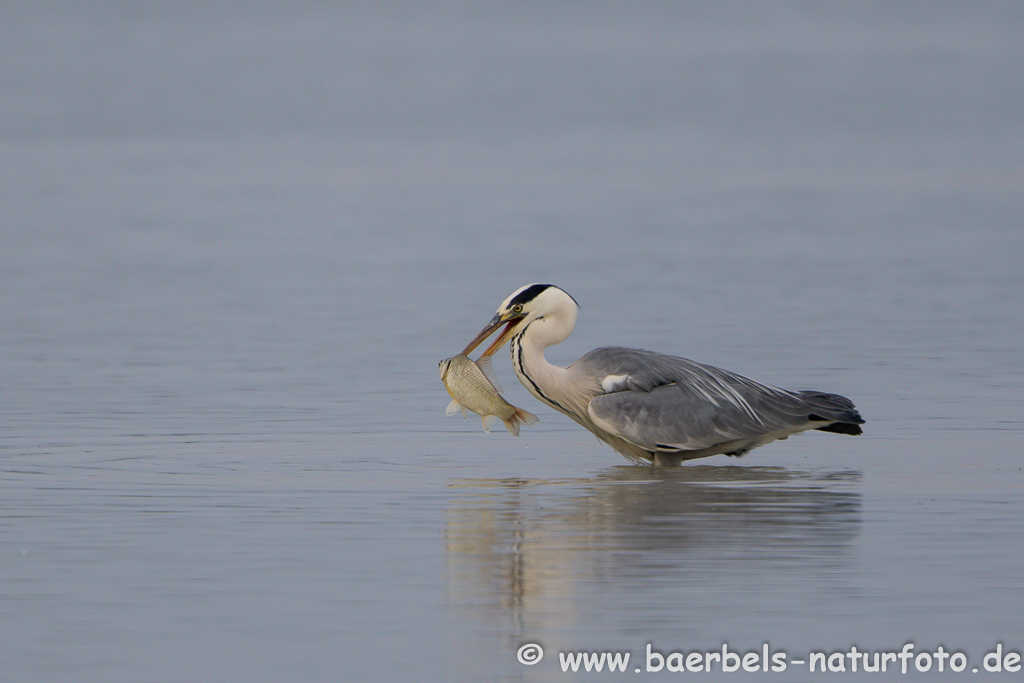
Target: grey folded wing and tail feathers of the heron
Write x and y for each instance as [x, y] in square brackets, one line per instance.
[675, 404]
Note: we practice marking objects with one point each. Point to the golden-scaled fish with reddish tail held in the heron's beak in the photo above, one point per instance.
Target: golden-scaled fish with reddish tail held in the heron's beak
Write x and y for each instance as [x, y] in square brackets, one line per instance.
[474, 388]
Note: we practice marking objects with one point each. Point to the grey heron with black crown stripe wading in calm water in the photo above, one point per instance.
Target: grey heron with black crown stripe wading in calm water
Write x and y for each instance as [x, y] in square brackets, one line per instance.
[652, 407]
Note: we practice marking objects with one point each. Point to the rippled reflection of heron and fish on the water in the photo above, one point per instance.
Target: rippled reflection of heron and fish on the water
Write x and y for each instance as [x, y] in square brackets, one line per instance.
[537, 551]
